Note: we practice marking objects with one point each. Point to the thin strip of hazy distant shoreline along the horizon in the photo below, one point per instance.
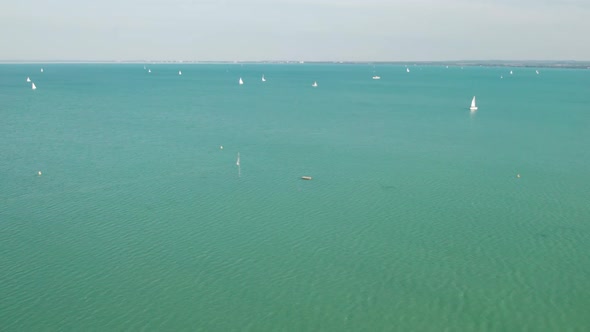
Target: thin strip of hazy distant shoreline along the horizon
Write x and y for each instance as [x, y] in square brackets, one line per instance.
[471, 63]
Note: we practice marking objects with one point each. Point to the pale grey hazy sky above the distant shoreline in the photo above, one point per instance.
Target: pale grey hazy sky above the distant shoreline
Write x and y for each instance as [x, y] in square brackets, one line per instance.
[294, 29]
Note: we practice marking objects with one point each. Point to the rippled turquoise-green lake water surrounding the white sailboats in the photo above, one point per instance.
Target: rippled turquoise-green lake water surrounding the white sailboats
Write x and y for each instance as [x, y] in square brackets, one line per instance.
[415, 219]
